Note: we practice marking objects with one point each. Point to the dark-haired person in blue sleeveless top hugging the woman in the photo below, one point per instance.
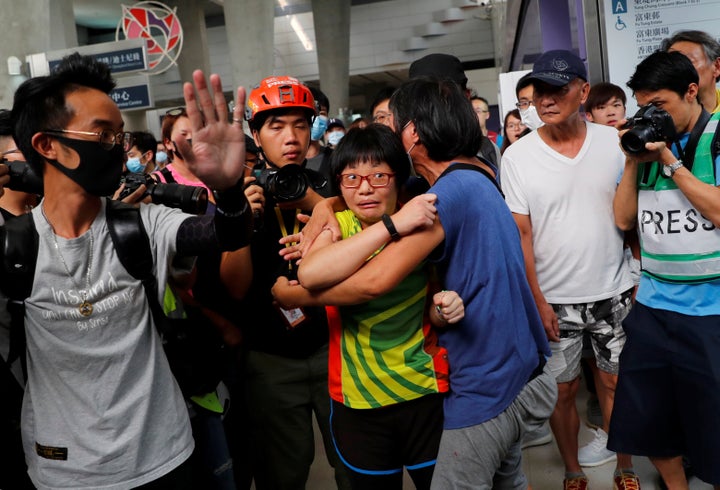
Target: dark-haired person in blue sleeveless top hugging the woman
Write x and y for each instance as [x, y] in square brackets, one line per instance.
[499, 384]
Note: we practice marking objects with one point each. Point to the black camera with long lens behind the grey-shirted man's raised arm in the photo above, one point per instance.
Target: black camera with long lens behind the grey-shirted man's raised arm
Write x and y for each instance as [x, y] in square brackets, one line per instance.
[188, 198]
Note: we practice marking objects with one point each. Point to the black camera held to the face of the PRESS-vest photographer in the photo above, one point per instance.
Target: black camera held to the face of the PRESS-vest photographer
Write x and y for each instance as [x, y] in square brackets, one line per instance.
[649, 124]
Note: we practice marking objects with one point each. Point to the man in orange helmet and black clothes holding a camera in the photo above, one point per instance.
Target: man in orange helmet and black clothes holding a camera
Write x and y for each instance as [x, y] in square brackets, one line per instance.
[286, 371]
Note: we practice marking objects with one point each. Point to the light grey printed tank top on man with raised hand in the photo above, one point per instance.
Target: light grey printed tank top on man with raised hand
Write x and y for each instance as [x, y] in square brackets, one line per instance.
[101, 407]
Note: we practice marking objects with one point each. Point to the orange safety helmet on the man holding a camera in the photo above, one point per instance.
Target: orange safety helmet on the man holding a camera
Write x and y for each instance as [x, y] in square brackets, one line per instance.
[279, 93]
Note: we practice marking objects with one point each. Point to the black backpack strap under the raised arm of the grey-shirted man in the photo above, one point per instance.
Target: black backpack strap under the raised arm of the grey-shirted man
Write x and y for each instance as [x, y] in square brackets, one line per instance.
[132, 245]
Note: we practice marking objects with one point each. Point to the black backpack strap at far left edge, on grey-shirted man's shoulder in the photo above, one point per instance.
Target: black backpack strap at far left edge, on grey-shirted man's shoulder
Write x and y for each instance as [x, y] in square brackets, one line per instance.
[19, 241]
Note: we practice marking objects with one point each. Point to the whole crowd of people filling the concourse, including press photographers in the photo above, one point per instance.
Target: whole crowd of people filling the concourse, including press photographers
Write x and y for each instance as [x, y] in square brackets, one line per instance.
[179, 313]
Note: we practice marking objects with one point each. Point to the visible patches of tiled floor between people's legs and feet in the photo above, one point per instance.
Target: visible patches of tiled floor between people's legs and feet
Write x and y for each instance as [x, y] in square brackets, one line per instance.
[543, 467]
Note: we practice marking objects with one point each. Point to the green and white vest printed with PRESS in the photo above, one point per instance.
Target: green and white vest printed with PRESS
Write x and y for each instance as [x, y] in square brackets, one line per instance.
[677, 243]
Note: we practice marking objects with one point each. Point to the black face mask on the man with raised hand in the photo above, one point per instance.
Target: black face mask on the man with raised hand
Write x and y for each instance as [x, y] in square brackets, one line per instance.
[99, 170]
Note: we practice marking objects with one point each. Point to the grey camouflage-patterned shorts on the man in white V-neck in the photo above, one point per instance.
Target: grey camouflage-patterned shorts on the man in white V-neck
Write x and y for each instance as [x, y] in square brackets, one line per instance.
[603, 321]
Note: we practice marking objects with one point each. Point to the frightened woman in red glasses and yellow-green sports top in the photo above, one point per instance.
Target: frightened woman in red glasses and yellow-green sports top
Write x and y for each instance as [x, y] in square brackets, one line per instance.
[383, 352]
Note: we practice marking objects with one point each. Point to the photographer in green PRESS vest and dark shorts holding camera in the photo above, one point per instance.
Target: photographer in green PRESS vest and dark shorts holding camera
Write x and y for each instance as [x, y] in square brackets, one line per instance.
[668, 394]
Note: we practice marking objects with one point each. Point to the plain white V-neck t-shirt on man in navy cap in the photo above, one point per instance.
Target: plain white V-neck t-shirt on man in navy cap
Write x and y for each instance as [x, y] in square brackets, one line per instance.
[578, 249]
